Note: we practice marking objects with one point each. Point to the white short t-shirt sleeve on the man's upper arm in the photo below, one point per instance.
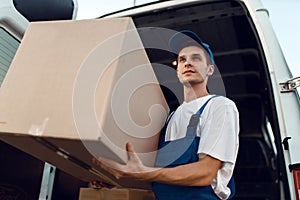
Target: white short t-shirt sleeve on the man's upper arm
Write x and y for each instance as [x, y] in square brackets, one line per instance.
[219, 132]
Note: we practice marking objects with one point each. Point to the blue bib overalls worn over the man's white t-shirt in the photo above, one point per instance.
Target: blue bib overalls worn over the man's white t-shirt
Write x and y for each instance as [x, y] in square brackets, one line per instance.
[179, 152]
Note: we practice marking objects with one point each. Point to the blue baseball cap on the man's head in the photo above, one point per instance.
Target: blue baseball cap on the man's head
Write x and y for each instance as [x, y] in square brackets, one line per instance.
[188, 38]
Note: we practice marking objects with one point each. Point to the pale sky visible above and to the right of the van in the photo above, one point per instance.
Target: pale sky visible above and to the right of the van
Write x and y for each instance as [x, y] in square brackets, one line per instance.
[284, 16]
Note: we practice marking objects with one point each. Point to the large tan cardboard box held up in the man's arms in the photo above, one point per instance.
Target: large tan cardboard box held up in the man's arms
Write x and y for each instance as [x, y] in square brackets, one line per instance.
[82, 89]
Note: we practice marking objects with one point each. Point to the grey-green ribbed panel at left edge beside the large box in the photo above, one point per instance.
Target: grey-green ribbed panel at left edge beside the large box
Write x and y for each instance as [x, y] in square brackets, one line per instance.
[8, 48]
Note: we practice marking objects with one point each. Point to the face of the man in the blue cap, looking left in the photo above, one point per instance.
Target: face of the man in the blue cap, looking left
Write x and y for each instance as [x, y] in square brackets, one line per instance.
[192, 66]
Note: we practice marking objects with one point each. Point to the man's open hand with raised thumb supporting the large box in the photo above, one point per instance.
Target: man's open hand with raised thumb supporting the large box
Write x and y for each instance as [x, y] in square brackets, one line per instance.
[134, 168]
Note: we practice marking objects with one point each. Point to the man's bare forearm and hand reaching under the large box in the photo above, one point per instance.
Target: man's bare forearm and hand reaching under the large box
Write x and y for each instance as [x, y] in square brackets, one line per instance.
[200, 173]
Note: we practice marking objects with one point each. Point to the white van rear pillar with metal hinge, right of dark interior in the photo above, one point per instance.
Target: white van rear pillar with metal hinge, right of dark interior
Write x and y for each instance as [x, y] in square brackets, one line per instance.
[286, 100]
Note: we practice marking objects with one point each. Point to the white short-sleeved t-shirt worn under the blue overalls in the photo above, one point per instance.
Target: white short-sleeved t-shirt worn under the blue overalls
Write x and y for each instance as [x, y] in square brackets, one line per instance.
[218, 130]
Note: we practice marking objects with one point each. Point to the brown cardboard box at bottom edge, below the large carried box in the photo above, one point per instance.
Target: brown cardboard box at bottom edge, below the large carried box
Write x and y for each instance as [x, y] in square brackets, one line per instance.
[115, 194]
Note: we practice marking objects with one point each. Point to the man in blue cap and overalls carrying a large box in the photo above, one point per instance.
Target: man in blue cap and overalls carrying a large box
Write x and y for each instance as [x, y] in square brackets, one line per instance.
[199, 144]
